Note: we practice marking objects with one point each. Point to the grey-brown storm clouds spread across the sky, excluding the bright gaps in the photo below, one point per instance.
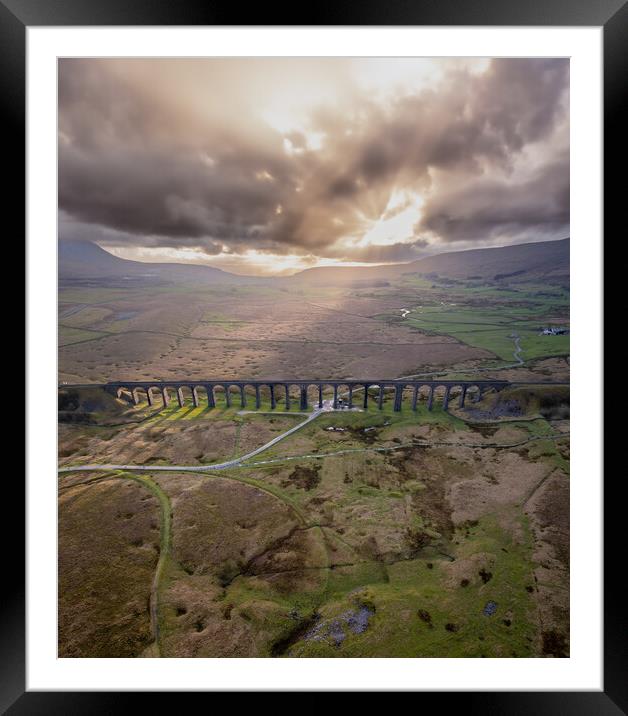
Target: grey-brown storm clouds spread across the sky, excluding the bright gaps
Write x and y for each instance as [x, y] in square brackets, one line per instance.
[157, 163]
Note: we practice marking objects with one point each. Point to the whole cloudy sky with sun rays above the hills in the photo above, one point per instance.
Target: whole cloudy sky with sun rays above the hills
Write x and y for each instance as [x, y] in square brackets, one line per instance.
[272, 165]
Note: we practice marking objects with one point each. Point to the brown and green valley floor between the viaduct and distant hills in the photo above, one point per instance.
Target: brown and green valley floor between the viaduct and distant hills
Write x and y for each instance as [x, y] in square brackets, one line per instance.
[413, 327]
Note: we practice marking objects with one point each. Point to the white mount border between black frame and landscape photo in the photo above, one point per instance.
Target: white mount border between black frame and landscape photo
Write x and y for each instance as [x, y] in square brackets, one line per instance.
[583, 670]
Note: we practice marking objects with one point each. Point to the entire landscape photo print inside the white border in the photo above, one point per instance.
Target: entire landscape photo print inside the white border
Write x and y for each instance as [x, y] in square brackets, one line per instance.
[313, 350]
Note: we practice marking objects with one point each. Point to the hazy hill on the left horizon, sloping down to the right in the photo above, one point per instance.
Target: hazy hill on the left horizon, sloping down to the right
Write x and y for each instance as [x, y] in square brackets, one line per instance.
[85, 260]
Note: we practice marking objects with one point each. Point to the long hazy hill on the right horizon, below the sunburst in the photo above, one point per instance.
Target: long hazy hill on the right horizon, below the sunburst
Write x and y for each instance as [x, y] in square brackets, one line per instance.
[548, 260]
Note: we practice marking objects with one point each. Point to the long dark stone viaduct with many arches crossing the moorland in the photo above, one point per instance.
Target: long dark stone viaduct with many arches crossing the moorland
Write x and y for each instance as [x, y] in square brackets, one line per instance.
[280, 391]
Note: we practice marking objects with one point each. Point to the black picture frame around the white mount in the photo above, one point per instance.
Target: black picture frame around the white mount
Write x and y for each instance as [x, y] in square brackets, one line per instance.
[17, 15]
